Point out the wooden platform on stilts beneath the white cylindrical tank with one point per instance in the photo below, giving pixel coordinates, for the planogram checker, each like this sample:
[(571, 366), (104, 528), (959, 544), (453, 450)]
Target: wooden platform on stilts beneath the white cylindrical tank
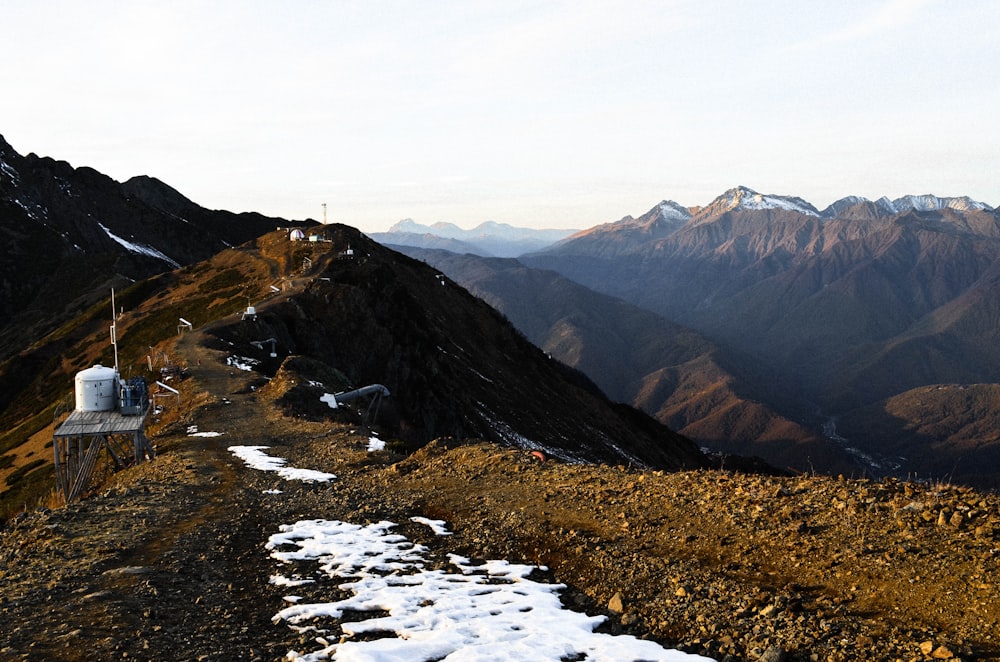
[(80, 440)]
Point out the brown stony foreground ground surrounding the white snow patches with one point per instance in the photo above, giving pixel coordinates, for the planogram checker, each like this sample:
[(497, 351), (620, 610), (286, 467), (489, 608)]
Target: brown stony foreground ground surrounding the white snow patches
[(167, 560)]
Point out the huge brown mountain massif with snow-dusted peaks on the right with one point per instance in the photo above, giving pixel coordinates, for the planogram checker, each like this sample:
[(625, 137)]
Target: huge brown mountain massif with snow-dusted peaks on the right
[(852, 305)]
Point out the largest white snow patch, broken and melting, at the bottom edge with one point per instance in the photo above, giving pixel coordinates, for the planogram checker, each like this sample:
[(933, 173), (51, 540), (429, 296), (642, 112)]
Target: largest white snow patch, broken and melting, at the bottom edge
[(477, 613)]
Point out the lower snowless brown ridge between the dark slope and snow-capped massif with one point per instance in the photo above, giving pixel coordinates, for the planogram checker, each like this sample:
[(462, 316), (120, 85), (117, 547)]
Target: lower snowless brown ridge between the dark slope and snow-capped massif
[(677, 375)]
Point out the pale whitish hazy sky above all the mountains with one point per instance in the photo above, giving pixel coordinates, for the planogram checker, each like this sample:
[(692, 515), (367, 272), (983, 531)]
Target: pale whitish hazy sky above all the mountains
[(545, 114)]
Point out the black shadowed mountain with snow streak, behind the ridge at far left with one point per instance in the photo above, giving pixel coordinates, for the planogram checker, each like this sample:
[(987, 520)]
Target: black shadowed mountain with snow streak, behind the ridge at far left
[(67, 234)]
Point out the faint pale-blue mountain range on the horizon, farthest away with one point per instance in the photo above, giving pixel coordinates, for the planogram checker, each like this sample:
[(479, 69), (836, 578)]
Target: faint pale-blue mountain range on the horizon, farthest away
[(489, 239)]
